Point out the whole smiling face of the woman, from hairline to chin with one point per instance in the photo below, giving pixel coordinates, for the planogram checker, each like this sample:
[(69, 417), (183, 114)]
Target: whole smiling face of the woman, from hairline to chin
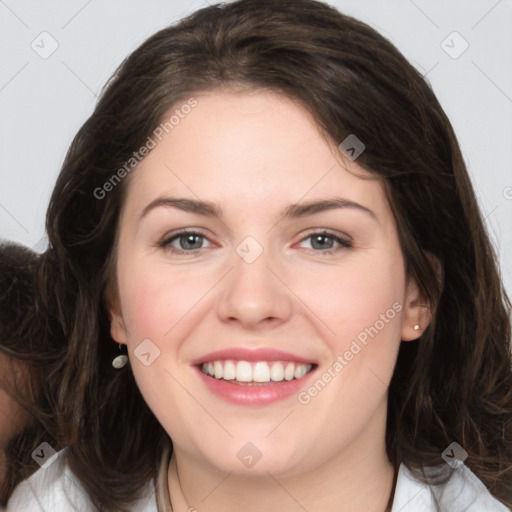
[(297, 310)]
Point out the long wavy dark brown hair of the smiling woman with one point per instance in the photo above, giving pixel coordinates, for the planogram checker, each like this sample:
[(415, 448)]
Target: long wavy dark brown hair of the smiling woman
[(455, 384)]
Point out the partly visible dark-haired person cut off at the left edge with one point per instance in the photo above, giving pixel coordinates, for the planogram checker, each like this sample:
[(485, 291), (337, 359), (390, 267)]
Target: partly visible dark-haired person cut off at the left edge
[(29, 342)]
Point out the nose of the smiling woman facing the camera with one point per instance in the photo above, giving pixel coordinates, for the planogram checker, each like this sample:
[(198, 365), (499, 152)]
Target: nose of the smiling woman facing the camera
[(255, 294)]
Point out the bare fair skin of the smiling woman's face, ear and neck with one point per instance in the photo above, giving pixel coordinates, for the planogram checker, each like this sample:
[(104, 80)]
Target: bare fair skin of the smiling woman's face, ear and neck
[(254, 153)]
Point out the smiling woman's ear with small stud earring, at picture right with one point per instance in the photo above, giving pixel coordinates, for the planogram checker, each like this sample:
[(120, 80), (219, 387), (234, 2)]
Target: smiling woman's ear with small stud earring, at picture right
[(417, 310)]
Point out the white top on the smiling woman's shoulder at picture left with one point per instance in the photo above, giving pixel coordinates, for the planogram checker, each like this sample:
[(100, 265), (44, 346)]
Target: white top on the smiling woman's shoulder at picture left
[(55, 487)]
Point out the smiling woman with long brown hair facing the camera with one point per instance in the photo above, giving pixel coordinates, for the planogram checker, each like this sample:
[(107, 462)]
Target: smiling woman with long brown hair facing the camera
[(269, 210)]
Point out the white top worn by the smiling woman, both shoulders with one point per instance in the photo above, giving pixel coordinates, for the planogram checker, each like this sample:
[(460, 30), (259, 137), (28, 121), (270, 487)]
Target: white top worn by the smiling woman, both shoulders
[(56, 489)]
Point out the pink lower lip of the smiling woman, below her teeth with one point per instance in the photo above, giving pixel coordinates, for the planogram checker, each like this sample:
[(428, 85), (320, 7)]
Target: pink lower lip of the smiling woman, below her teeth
[(259, 394)]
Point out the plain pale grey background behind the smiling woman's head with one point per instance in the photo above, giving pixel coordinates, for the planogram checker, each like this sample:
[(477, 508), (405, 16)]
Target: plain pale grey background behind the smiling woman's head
[(44, 101)]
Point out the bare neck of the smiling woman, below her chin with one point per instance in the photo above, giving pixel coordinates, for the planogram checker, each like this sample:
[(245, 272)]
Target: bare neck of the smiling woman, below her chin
[(360, 477)]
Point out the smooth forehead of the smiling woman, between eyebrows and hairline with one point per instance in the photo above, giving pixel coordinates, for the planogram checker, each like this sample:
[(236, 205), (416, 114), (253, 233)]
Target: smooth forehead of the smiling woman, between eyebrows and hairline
[(257, 148)]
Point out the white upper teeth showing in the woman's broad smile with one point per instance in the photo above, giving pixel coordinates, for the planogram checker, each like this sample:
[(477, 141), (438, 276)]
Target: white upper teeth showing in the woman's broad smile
[(261, 371)]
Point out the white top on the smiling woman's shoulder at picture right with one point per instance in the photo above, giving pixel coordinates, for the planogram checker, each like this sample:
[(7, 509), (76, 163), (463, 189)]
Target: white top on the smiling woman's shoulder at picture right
[(463, 492)]
